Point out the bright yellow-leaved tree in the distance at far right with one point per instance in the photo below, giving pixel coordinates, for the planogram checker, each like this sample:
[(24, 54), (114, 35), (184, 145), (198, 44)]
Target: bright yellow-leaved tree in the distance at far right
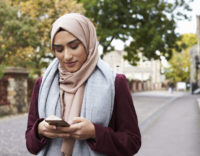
[(179, 69)]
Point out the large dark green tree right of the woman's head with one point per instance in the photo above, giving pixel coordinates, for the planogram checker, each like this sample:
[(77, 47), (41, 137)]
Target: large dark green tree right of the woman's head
[(150, 24)]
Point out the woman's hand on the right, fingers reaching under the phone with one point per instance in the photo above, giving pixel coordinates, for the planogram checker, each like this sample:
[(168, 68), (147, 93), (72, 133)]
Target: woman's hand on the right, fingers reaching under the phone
[(80, 128)]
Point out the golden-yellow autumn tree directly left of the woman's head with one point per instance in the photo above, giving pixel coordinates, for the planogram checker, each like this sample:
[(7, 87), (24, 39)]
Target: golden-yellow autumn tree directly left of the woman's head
[(41, 13)]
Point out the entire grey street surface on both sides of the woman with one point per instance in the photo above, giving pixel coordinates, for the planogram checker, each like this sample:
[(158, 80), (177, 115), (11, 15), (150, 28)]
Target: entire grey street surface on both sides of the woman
[(170, 126)]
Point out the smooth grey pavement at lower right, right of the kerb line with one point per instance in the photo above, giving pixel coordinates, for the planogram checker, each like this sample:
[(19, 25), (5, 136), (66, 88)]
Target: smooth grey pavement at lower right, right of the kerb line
[(175, 132)]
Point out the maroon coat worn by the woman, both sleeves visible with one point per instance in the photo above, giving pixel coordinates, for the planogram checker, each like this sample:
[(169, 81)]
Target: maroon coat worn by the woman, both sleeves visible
[(122, 136)]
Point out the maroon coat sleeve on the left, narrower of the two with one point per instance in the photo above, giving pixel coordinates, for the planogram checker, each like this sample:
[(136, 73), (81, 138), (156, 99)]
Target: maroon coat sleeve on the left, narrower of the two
[(33, 143)]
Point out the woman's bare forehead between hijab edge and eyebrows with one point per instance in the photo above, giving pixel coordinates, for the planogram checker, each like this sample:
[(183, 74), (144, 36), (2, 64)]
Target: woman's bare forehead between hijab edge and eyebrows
[(63, 37)]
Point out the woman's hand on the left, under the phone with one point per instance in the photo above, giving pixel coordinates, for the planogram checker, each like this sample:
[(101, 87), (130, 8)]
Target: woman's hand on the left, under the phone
[(50, 131)]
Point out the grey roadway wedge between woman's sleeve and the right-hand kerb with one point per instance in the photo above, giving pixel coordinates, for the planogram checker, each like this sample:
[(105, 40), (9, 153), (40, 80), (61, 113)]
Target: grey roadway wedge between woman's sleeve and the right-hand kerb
[(150, 104)]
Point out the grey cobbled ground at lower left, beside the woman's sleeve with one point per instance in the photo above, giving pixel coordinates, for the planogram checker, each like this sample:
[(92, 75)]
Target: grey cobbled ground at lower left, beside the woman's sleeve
[(12, 134)]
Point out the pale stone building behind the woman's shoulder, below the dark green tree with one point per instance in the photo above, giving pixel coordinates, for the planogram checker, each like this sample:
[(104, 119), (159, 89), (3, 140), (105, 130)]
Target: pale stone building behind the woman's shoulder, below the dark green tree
[(145, 71)]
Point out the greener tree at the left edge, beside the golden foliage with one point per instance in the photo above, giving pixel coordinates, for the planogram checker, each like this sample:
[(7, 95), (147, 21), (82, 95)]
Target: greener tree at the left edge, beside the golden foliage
[(16, 34)]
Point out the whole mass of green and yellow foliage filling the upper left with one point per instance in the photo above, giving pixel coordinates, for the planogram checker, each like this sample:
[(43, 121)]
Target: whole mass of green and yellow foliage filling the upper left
[(25, 27)]
